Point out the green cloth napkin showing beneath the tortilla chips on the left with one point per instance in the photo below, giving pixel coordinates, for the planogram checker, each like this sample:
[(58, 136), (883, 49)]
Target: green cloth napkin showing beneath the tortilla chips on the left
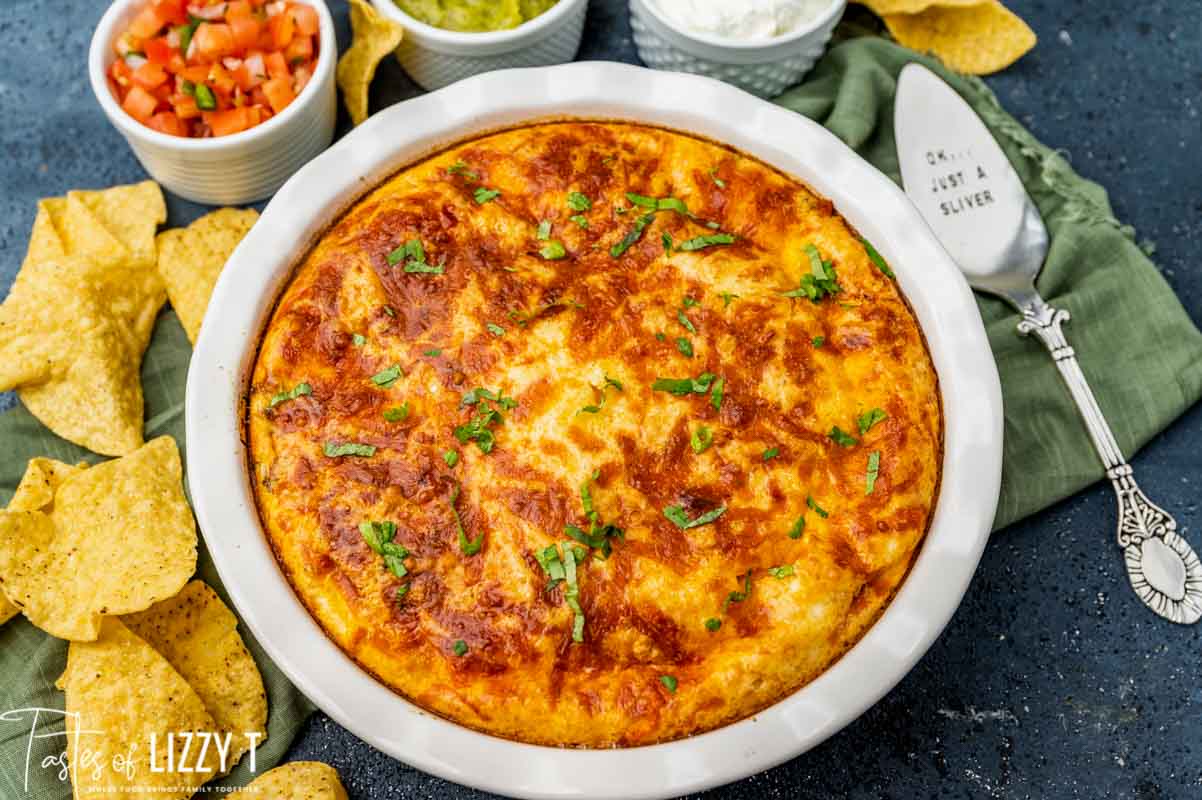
[(31, 661)]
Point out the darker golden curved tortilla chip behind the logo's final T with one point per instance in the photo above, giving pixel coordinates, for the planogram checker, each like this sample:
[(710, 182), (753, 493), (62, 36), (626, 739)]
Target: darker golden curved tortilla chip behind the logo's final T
[(199, 636)]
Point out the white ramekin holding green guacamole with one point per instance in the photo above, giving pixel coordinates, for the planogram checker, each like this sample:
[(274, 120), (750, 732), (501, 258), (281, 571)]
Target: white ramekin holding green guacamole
[(437, 58)]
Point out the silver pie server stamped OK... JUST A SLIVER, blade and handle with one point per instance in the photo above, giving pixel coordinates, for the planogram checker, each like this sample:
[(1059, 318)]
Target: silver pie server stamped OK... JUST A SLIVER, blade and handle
[(973, 200)]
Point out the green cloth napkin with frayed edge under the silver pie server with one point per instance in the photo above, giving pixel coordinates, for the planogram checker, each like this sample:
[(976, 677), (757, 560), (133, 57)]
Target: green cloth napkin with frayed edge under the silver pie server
[(1138, 347)]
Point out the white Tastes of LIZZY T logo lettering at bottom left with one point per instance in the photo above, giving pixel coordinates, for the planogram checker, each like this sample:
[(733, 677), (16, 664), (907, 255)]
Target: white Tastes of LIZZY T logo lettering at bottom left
[(185, 753)]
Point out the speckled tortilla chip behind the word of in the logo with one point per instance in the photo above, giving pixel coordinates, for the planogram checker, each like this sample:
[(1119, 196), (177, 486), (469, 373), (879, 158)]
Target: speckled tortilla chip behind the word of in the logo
[(129, 694)]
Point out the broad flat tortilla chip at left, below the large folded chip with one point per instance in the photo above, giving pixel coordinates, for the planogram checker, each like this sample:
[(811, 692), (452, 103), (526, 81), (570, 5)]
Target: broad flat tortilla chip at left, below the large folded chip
[(118, 539)]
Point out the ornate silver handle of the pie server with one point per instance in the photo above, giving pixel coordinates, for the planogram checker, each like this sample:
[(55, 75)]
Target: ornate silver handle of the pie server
[(1164, 570)]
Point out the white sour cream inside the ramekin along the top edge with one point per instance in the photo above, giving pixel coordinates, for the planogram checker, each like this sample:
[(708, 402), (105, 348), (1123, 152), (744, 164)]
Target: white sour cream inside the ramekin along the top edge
[(747, 20)]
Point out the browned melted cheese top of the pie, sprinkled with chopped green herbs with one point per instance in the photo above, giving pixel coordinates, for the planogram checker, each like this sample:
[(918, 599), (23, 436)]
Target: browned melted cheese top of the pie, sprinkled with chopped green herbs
[(486, 640)]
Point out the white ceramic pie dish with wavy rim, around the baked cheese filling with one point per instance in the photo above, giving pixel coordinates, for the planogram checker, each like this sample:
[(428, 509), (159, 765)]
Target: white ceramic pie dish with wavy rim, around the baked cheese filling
[(314, 198)]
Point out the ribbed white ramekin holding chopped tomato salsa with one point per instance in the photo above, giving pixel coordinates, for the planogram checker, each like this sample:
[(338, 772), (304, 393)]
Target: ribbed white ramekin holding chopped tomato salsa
[(228, 170)]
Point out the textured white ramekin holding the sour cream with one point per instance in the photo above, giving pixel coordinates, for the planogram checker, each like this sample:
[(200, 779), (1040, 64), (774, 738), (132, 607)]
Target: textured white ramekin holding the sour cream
[(765, 68)]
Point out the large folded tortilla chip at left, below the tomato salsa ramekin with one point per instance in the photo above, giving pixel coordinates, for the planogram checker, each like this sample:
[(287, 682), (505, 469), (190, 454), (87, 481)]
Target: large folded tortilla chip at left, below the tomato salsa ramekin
[(81, 313)]
